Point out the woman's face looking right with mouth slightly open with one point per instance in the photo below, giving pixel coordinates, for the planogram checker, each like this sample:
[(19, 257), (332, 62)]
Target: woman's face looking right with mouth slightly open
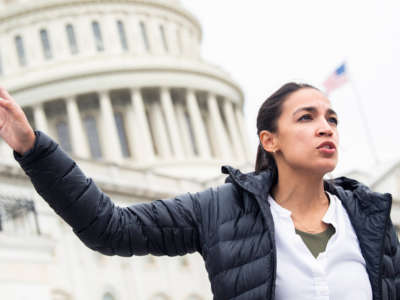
[(307, 136)]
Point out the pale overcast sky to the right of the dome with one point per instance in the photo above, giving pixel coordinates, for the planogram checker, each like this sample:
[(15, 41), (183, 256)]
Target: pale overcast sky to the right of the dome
[(264, 44)]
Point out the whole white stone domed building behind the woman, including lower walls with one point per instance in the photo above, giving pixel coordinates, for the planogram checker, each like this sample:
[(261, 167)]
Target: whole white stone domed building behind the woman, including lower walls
[(121, 85)]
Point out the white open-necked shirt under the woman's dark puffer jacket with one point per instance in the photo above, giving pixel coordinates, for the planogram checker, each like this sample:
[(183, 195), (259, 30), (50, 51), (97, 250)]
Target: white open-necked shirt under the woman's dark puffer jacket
[(338, 273)]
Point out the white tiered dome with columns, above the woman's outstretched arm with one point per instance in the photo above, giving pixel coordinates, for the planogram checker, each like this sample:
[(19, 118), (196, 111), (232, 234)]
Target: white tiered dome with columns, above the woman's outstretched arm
[(122, 82)]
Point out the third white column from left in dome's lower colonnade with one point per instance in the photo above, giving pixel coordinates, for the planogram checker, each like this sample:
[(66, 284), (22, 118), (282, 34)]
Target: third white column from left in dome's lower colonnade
[(109, 135)]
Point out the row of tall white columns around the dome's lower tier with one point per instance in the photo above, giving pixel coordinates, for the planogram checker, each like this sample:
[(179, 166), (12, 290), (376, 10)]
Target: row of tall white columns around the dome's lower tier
[(158, 123)]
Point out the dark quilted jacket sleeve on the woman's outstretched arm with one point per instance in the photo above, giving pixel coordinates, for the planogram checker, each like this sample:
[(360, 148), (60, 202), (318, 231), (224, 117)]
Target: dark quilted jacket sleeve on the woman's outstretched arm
[(163, 227)]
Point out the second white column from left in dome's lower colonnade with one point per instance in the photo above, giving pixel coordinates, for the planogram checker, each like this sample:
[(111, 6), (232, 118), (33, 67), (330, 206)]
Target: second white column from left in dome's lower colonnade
[(76, 131)]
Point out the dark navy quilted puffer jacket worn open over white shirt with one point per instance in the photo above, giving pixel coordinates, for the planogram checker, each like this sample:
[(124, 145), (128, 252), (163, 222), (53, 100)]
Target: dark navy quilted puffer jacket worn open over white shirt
[(231, 225)]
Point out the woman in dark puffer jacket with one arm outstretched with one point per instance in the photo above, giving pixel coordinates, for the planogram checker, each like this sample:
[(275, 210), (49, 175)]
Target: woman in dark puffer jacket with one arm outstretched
[(281, 232)]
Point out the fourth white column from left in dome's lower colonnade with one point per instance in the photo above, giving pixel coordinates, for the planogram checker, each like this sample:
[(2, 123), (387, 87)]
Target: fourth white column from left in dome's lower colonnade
[(146, 144)]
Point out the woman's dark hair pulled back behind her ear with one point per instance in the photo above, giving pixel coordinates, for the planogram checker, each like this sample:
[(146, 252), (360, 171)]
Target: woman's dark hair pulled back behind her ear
[(267, 119)]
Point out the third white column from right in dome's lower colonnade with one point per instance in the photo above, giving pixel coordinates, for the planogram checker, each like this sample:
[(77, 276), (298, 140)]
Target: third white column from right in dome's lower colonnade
[(222, 143)]
